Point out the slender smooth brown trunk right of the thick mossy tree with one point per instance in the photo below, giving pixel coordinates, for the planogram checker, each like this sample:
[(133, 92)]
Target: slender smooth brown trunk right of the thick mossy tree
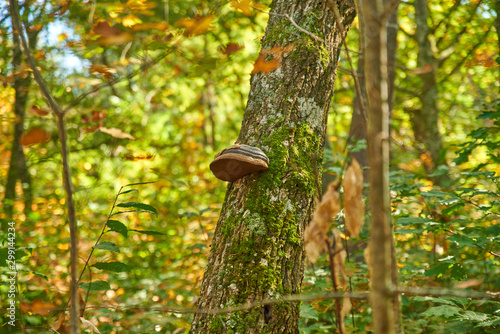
[(377, 89)]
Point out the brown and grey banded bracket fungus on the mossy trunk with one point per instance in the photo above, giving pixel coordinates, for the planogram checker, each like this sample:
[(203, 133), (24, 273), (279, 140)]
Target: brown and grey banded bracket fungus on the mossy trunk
[(237, 161)]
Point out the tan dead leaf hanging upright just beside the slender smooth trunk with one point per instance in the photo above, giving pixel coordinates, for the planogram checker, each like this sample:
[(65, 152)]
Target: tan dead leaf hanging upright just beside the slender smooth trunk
[(354, 207)]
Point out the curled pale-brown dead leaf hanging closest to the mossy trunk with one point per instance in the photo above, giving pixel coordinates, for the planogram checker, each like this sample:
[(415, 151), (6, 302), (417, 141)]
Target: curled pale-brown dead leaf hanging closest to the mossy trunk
[(316, 233)]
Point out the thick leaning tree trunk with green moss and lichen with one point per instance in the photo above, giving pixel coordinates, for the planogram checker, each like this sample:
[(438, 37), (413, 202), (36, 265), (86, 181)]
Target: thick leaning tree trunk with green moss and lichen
[(257, 251)]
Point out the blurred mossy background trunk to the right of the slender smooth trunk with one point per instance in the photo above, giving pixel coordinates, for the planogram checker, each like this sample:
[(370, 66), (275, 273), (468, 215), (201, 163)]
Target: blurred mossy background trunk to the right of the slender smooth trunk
[(425, 119)]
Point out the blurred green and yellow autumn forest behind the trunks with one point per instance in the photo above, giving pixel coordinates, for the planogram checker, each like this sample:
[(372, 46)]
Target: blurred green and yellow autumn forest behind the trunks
[(154, 89)]
